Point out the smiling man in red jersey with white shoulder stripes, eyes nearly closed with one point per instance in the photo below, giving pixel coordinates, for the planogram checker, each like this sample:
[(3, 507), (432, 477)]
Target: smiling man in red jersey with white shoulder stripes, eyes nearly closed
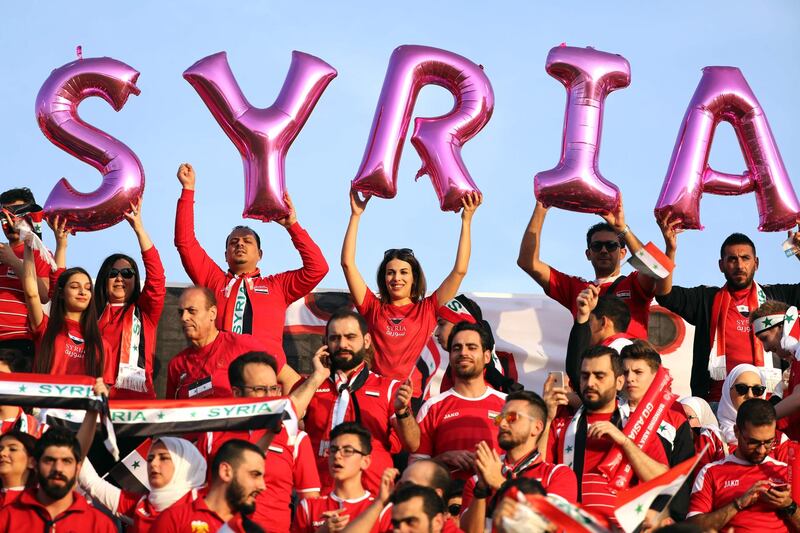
[(450, 425)]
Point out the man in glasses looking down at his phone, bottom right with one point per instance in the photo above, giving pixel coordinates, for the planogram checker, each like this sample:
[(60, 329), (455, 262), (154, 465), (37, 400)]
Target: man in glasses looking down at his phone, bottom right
[(748, 490)]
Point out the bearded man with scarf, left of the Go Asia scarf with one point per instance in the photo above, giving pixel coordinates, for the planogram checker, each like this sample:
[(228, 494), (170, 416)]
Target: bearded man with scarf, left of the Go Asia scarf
[(582, 440)]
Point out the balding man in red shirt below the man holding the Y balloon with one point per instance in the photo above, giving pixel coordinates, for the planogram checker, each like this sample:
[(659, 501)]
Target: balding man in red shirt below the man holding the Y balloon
[(201, 370)]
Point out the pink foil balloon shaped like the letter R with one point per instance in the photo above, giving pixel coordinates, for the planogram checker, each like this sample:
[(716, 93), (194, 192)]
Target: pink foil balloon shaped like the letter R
[(438, 140)]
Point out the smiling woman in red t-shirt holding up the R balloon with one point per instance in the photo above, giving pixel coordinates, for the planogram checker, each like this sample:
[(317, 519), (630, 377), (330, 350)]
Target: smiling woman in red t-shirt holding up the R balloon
[(401, 318)]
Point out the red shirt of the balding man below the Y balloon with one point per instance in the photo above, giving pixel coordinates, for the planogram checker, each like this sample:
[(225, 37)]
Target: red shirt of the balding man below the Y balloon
[(194, 364)]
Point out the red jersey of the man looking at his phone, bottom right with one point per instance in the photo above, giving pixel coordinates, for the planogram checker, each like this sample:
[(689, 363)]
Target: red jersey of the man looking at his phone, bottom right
[(719, 483)]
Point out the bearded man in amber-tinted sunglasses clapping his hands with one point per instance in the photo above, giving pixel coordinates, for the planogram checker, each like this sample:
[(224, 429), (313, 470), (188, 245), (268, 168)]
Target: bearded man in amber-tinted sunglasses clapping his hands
[(519, 426)]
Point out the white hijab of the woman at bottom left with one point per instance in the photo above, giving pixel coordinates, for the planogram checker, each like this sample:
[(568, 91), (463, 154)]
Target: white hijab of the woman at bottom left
[(190, 473)]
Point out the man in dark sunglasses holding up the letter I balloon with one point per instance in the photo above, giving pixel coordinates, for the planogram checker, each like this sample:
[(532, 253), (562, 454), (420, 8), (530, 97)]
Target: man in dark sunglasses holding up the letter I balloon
[(607, 245)]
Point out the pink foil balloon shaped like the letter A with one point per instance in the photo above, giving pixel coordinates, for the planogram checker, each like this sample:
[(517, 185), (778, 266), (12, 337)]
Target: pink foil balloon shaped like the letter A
[(723, 94)]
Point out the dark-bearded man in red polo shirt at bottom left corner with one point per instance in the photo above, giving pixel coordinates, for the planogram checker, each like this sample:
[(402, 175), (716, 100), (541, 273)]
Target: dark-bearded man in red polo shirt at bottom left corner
[(54, 505)]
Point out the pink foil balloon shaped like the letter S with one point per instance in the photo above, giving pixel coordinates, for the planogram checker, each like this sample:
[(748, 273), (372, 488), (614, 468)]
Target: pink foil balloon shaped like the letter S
[(57, 115)]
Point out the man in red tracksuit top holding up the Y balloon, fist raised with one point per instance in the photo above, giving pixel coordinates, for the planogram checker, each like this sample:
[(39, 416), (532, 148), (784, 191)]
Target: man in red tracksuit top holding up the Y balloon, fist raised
[(248, 301)]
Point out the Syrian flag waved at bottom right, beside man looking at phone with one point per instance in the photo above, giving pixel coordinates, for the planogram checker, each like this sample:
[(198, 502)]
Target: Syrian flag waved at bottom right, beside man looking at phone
[(632, 504)]
